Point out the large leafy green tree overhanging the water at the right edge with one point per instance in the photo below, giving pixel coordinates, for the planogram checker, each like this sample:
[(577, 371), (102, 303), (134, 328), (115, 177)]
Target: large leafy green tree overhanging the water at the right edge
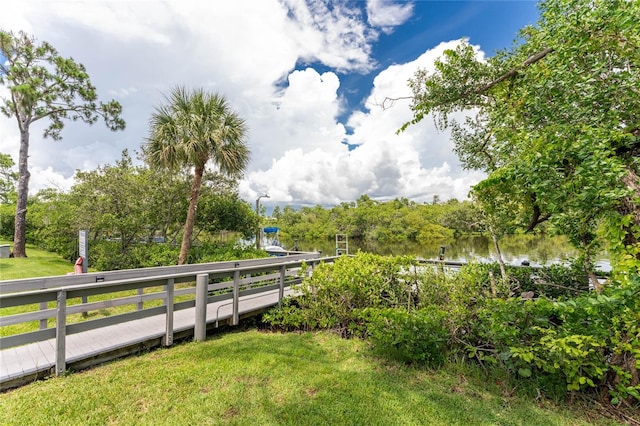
[(554, 121)]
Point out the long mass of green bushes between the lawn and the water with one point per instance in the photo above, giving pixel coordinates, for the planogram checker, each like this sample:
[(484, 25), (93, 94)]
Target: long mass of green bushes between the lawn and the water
[(585, 343)]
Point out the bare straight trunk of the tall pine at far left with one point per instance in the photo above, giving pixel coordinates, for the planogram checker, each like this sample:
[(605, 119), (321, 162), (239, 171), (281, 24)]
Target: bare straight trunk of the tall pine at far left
[(19, 238)]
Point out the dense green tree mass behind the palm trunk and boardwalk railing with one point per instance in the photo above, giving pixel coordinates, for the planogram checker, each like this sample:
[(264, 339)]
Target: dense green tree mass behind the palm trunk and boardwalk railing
[(134, 215)]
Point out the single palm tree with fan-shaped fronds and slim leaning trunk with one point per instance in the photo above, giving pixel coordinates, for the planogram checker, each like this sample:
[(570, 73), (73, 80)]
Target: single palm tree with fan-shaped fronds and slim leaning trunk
[(190, 130)]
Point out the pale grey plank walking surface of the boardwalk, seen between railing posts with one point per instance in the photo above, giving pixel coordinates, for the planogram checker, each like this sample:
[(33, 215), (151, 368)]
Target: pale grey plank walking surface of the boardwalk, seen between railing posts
[(22, 364)]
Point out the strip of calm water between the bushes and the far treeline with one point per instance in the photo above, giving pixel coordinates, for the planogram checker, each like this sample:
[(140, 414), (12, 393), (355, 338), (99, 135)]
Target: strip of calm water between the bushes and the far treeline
[(537, 249)]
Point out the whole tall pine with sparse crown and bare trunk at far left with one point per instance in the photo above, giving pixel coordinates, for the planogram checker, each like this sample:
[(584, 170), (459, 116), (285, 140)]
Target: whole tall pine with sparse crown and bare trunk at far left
[(44, 85)]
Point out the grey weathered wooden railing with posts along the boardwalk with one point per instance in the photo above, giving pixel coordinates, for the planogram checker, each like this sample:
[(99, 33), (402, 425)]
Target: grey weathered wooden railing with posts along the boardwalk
[(148, 292)]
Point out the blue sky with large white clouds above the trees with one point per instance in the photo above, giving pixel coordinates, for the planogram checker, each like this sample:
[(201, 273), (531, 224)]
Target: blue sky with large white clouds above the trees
[(308, 76)]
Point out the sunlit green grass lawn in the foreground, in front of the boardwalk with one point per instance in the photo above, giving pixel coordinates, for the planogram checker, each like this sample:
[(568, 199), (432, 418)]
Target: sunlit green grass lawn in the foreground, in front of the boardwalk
[(255, 378)]
